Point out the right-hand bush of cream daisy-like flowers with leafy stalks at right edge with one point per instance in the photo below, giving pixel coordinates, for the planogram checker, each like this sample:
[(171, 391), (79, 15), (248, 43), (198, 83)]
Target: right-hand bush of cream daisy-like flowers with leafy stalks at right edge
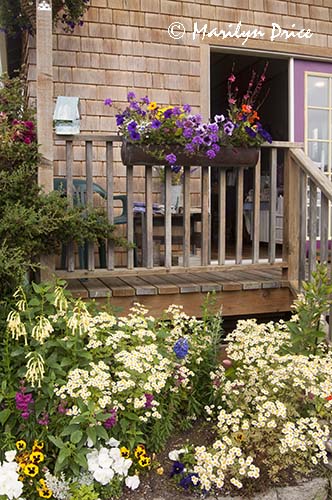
[(272, 402)]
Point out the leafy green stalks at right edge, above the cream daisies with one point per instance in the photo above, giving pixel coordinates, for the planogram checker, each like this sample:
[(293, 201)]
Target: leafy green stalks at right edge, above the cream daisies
[(306, 327)]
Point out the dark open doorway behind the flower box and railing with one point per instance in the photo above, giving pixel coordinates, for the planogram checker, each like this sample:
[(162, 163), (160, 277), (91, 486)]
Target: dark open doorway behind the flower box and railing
[(274, 116)]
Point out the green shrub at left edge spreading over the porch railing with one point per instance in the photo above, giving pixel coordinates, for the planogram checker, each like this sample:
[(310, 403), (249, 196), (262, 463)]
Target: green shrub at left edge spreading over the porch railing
[(32, 222)]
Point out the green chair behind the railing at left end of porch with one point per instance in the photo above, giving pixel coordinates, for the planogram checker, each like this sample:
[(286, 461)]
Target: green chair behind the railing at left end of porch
[(60, 184)]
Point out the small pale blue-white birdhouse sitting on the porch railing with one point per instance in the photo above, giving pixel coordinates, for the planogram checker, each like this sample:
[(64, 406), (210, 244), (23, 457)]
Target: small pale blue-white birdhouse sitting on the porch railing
[(67, 116)]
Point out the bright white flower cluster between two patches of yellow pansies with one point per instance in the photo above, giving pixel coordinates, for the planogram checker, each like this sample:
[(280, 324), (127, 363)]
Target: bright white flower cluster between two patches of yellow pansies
[(107, 462)]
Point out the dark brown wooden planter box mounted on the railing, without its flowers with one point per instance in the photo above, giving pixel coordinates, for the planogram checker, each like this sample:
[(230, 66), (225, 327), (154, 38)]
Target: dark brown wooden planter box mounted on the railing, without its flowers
[(228, 157)]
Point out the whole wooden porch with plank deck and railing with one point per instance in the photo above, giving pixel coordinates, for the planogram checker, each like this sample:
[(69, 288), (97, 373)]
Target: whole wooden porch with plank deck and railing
[(247, 275)]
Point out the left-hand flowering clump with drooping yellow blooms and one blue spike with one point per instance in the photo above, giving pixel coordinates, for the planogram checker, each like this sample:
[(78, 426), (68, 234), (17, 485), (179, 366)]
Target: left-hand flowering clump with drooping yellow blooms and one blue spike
[(96, 389)]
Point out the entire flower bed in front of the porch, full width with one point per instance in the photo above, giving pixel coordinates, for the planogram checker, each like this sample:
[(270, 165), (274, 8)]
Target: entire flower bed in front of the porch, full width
[(94, 405)]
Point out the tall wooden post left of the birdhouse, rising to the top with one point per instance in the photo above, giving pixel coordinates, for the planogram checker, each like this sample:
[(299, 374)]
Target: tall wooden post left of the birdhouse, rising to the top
[(44, 79)]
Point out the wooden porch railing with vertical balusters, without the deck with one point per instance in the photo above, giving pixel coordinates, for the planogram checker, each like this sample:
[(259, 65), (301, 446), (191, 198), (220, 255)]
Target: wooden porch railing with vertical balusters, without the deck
[(285, 160)]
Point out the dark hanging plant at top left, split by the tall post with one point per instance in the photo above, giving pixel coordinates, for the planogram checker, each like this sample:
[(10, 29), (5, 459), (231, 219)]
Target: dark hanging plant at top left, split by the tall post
[(20, 15)]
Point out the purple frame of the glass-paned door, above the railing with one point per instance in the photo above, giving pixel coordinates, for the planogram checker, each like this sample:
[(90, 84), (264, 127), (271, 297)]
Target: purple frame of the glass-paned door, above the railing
[(300, 66)]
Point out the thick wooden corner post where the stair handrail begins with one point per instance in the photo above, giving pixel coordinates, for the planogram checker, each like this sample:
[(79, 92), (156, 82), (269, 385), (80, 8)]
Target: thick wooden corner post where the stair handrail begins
[(291, 246)]
